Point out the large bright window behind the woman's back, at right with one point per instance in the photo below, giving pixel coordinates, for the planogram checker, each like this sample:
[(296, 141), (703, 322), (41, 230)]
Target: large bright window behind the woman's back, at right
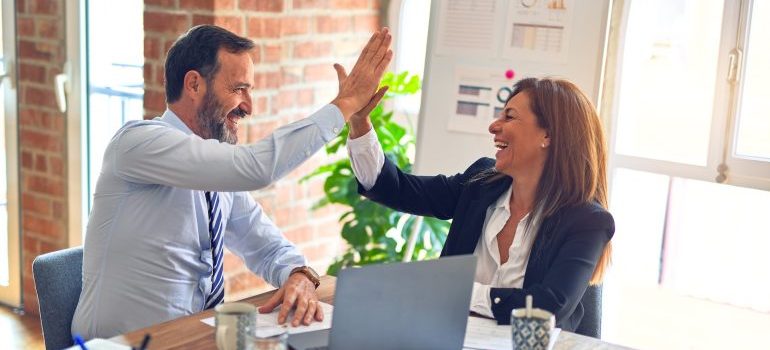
[(690, 173)]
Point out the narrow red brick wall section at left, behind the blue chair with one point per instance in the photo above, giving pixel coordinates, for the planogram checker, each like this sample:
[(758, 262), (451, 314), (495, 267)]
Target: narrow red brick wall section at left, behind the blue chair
[(41, 55)]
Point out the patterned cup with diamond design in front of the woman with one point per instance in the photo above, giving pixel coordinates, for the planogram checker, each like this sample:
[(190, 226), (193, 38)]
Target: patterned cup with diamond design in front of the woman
[(533, 332)]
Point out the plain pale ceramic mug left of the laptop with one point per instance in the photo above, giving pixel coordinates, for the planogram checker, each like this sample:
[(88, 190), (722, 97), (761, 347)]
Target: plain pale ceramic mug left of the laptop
[(234, 323)]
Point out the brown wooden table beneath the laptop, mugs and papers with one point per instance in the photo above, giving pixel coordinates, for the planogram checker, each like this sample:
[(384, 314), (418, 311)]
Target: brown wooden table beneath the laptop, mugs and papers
[(190, 333)]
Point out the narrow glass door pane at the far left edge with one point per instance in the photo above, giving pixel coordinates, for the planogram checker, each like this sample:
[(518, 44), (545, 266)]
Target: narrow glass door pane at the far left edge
[(10, 272)]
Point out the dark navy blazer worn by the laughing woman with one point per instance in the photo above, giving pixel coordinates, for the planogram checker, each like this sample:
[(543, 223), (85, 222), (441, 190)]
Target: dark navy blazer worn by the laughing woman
[(565, 252)]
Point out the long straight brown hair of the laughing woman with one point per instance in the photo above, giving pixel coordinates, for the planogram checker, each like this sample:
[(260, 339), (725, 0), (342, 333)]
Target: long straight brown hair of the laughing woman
[(575, 171)]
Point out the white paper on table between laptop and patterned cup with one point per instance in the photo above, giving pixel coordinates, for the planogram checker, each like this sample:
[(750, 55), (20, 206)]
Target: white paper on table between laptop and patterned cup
[(482, 333)]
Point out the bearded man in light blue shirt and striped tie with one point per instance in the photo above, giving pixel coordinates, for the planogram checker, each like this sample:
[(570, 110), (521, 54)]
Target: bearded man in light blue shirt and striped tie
[(171, 192)]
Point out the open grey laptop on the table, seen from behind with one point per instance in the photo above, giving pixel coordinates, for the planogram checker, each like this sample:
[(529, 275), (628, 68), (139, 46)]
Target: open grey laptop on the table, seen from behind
[(416, 305)]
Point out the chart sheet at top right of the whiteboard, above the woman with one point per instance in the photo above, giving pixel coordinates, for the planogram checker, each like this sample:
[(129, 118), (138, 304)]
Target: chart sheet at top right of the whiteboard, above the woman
[(538, 30)]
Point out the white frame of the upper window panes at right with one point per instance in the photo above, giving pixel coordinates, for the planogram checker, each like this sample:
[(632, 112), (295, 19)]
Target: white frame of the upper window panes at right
[(741, 172)]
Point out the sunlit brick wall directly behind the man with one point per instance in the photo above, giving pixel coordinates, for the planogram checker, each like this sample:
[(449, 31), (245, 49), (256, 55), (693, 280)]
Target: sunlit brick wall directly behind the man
[(297, 43)]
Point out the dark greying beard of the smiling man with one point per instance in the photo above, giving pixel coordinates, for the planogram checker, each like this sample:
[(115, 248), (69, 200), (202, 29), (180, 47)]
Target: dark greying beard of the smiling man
[(212, 120)]
